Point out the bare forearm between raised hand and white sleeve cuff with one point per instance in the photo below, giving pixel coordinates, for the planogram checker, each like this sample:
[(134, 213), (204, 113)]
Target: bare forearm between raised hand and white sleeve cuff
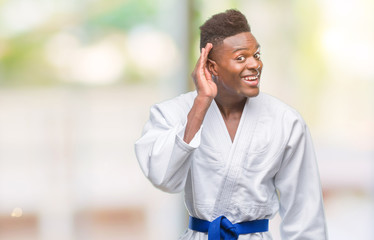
[(196, 117)]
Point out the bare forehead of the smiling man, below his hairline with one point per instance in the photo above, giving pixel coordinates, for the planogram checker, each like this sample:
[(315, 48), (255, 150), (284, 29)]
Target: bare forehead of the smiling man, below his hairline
[(241, 41)]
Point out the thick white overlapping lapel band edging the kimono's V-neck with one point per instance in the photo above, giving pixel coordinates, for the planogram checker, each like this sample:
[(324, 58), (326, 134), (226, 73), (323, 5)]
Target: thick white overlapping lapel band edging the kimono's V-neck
[(236, 155)]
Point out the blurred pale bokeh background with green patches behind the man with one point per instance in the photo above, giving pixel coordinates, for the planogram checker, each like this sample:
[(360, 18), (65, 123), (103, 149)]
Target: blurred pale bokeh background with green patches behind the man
[(77, 79)]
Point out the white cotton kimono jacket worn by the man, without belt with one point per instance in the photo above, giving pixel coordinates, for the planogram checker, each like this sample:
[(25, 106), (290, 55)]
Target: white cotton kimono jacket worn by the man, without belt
[(269, 166)]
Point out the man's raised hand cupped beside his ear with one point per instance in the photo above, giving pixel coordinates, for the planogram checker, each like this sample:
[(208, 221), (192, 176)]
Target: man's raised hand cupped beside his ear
[(205, 86)]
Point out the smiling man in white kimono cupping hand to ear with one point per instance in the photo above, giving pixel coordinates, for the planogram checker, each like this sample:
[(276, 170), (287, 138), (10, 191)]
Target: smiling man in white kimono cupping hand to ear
[(240, 155)]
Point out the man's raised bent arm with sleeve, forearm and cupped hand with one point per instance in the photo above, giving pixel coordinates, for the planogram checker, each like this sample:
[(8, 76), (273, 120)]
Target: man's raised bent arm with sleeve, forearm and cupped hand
[(164, 149)]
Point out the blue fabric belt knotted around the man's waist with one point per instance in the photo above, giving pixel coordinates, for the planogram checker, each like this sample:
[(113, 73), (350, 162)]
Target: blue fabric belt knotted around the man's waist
[(222, 228)]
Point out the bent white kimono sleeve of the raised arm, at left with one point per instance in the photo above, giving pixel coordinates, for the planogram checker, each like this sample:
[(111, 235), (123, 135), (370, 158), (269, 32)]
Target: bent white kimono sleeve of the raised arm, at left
[(161, 152)]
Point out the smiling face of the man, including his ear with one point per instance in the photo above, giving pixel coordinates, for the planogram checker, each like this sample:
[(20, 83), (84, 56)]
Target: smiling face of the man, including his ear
[(237, 65)]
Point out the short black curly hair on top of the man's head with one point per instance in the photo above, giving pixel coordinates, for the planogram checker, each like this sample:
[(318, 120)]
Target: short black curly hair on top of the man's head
[(221, 26)]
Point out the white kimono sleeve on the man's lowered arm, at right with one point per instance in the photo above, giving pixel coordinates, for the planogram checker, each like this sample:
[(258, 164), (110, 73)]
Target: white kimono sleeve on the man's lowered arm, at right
[(299, 188)]
